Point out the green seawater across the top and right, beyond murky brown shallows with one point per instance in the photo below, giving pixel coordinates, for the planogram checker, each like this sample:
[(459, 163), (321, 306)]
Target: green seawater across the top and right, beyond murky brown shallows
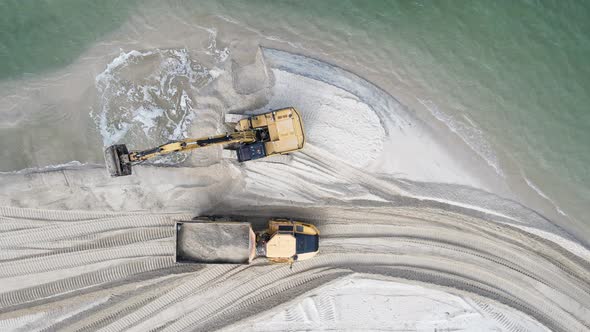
[(519, 70)]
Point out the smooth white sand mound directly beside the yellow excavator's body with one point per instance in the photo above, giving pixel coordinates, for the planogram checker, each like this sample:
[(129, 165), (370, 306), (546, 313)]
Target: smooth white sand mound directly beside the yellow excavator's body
[(334, 119)]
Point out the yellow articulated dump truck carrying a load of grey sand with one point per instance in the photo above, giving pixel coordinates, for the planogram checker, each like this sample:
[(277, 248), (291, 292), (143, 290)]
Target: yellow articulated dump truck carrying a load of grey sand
[(210, 240)]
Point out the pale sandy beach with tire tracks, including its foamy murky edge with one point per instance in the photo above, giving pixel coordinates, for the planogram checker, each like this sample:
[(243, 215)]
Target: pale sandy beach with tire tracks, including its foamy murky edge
[(418, 230)]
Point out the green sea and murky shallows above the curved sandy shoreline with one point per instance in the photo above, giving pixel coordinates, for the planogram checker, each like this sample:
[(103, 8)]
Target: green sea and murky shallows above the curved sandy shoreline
[(508, 78)]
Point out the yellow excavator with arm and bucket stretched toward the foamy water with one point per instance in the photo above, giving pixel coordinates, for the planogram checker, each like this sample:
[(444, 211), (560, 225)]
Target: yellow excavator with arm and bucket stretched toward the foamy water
[(276, 132)]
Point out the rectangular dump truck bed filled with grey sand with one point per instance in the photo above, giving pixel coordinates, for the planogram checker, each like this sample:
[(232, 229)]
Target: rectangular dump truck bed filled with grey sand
[(210, 242)]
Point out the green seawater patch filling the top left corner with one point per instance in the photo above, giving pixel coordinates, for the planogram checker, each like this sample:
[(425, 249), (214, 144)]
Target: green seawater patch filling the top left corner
[(41, 34)]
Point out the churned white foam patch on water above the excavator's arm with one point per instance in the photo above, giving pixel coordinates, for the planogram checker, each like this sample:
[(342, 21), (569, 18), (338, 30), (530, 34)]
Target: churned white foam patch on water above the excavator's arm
[(160, 104)]
